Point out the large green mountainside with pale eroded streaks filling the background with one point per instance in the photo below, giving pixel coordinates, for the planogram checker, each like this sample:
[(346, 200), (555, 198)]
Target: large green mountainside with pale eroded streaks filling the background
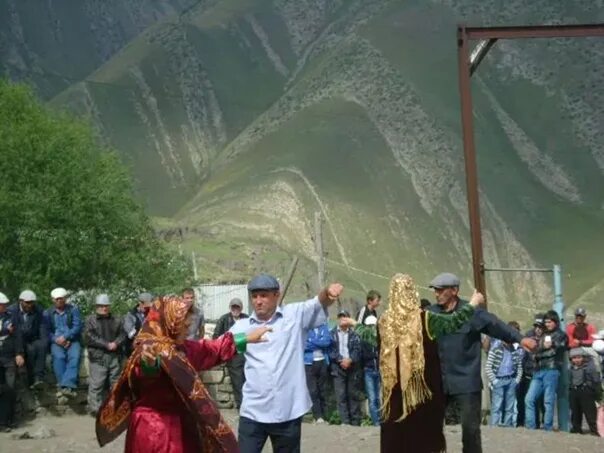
[(242, 118)]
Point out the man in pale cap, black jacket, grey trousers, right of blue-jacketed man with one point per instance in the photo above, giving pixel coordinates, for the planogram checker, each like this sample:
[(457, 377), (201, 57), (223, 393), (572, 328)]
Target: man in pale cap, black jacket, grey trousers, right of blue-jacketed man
[(104, 335)]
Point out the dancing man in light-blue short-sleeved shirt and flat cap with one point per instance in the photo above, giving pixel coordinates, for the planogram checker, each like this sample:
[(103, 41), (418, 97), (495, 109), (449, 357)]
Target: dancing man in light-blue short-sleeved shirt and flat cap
[(275, 395)]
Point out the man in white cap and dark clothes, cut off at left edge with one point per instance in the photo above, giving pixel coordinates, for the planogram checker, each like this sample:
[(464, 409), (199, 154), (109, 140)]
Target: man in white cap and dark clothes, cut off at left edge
[(11, 356)]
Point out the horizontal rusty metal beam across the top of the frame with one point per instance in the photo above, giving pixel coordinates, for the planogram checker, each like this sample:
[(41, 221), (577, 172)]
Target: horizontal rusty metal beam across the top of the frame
[(535, 31)]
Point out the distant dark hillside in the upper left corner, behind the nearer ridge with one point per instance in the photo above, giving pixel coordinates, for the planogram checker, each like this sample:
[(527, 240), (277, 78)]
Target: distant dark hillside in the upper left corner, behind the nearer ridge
[(53, 44)]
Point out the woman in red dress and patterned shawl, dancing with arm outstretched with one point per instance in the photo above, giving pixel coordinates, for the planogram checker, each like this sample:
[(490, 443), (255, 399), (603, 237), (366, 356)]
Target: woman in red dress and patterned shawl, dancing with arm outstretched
[(160, 398)]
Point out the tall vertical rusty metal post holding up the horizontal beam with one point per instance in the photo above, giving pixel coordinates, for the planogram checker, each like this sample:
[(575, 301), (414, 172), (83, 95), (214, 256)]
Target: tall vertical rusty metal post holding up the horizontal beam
[(465, 92)]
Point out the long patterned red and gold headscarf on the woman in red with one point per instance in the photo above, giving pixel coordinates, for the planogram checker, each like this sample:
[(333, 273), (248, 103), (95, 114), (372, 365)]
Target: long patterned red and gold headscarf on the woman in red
[(161, 330)]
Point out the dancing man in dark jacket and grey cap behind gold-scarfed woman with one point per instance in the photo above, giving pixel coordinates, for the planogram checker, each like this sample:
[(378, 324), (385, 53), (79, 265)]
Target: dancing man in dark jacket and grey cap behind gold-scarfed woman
[(460, 355)]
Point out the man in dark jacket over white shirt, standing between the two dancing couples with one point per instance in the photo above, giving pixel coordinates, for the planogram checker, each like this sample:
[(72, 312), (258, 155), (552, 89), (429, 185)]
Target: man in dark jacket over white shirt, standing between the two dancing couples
[(345, 358)]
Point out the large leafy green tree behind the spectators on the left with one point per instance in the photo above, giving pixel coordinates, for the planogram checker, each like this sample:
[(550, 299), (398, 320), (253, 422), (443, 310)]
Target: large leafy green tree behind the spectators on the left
[(68, 215)]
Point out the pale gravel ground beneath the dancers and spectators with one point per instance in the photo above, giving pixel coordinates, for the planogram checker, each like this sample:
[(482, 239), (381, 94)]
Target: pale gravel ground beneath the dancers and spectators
[(76, 434)]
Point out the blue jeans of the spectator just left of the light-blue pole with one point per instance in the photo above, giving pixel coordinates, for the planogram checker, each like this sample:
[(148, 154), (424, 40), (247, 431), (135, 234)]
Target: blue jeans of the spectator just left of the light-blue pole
[(544, 382)]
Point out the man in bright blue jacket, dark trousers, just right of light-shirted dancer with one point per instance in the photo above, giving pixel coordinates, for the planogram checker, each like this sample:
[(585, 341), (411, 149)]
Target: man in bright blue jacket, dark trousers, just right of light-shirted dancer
[(316, 364)]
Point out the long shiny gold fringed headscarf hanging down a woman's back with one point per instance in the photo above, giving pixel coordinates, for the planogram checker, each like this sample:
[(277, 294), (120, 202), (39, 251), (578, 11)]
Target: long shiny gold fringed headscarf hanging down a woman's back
[(401, 336)]
